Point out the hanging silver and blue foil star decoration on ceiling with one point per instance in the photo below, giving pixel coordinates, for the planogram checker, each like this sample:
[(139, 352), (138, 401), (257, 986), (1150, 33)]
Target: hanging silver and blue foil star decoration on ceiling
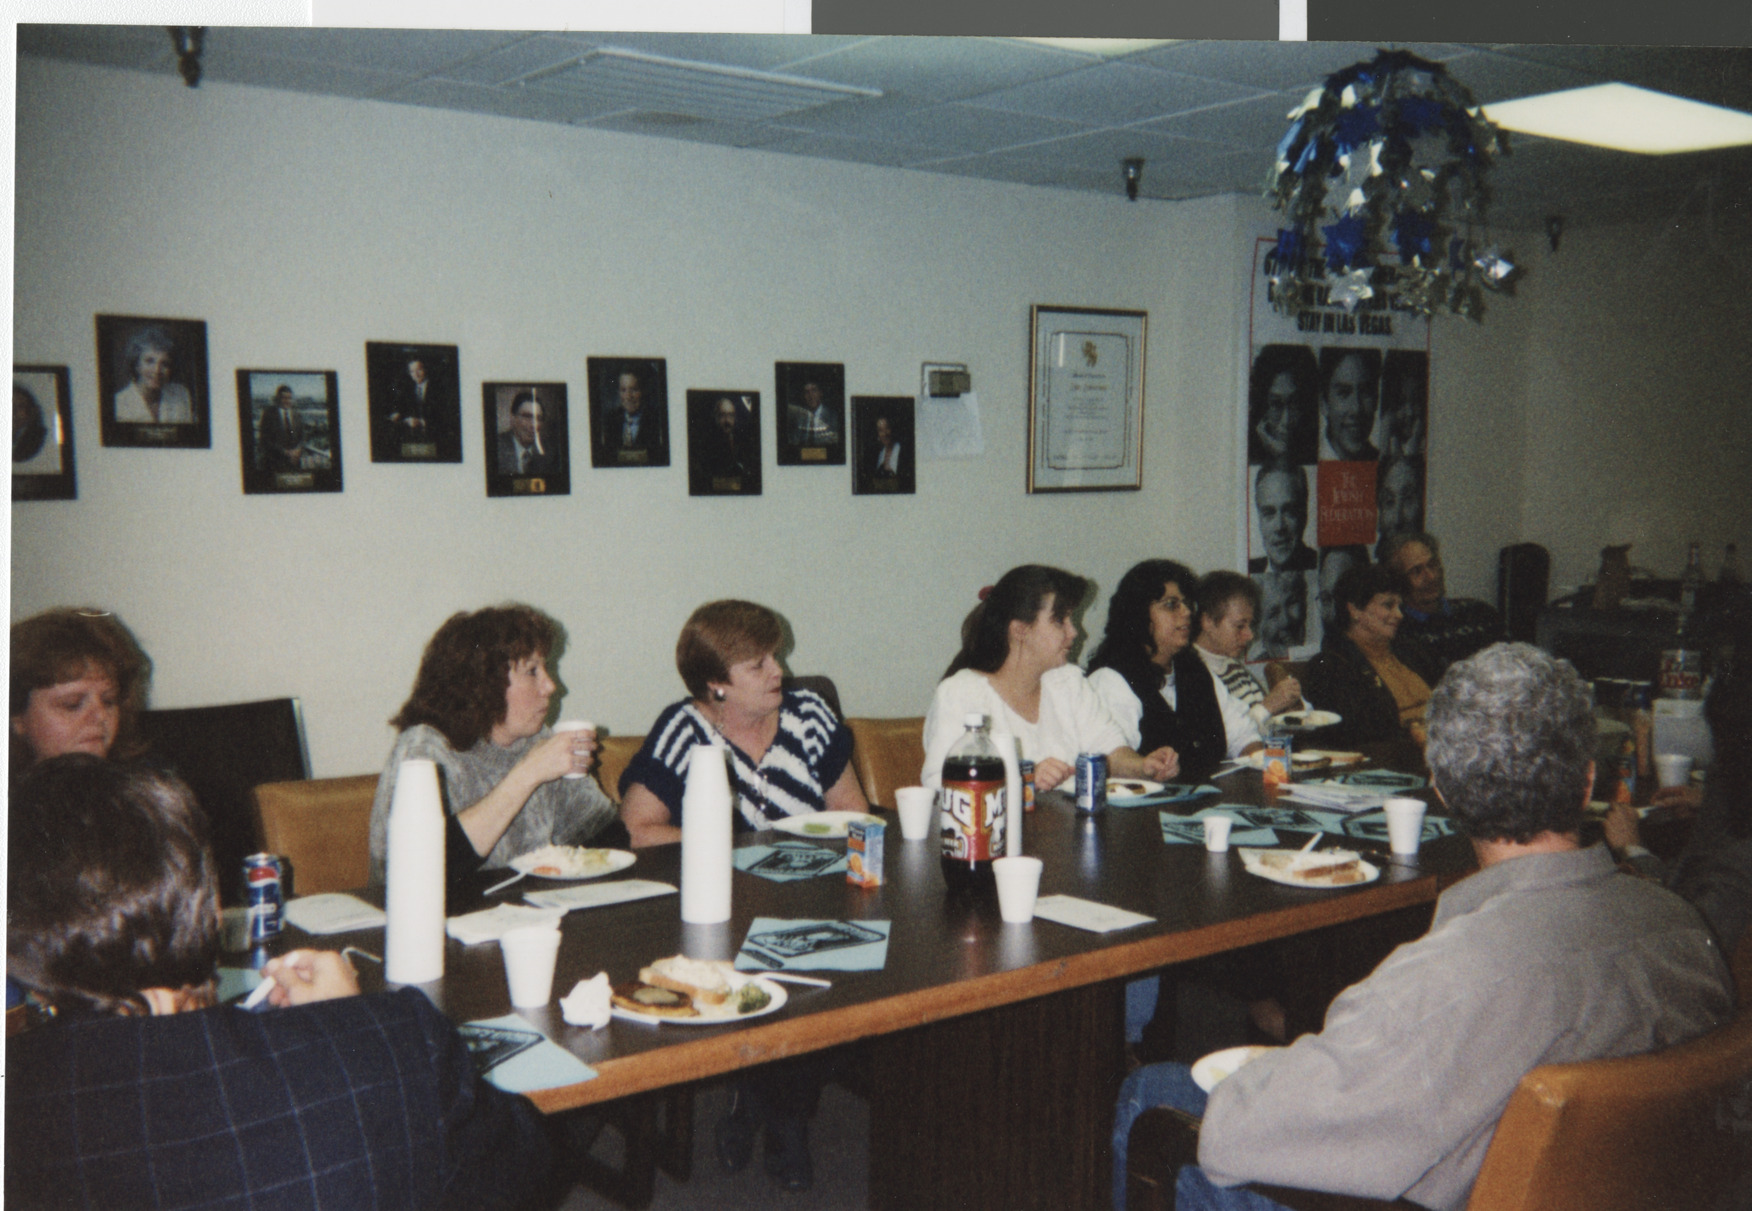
[(1385, 183)]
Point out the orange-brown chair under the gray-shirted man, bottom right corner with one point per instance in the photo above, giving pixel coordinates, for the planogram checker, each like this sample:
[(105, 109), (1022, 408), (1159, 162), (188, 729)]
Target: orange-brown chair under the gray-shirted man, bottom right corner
[(1644, 1133)]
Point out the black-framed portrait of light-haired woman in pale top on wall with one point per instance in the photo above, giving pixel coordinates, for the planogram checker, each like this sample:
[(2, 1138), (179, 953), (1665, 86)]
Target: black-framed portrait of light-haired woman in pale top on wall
[(153, 383)]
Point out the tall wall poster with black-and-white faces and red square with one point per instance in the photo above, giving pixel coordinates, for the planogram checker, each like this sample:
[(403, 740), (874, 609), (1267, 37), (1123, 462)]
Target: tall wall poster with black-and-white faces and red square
[(1338, 418)]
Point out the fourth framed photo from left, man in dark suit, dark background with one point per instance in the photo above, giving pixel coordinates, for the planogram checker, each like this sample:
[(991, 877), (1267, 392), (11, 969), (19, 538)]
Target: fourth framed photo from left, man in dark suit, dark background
[(414, 402)]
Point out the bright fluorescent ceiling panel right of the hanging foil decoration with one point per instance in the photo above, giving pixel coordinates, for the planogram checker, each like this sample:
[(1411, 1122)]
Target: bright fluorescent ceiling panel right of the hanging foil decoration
[(1625, 118)]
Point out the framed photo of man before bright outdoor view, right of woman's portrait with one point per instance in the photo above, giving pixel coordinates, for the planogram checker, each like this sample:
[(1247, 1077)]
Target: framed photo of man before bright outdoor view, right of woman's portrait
[(288, 425)]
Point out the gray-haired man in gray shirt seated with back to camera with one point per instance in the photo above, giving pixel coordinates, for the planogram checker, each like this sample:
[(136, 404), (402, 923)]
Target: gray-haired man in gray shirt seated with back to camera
[(1546, 956)]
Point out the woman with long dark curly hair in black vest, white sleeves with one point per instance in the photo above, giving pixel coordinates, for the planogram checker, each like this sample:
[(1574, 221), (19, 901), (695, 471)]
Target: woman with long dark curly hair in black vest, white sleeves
[(1152, 679)]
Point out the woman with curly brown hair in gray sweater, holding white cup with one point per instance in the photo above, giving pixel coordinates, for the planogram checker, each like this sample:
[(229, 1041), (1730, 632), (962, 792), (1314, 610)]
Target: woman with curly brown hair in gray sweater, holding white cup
[(479, 711)]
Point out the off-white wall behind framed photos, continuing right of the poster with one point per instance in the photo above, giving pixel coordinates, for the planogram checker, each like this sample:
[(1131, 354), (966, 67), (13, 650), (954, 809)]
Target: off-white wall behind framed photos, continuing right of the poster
[(1604, 404)]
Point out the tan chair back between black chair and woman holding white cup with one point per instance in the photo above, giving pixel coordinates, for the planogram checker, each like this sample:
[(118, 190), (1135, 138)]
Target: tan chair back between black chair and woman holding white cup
[(323, 826)]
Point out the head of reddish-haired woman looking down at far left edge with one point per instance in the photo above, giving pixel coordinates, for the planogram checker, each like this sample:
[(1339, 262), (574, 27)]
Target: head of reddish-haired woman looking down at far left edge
[(78, 686)]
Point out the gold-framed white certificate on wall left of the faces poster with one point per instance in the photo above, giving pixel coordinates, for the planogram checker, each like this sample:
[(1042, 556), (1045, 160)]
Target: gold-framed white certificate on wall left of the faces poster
[(1085, 400)]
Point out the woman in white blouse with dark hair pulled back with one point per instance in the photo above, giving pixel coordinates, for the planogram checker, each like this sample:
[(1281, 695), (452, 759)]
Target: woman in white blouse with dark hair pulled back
[(1014, 669)]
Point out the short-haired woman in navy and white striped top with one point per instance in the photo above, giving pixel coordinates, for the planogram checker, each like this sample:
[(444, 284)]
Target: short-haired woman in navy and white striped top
[(788, 754)]
